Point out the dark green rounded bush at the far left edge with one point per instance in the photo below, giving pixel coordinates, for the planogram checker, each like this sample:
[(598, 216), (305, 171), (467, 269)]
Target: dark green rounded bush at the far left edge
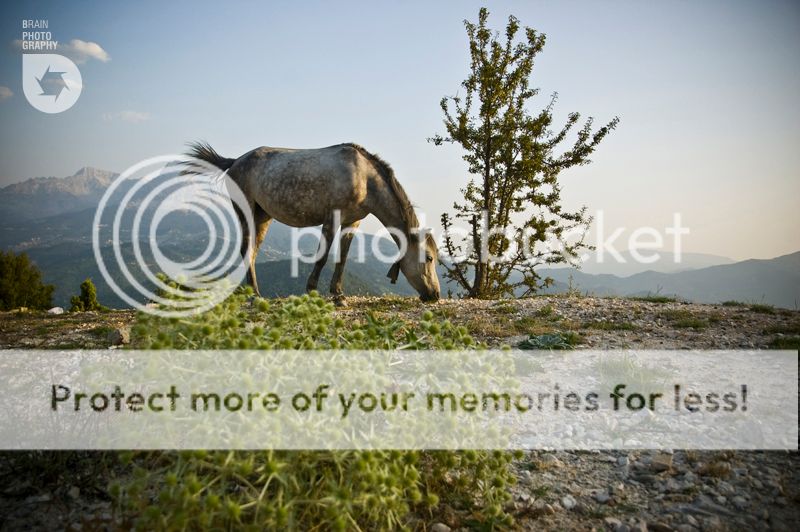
[(21, 283)]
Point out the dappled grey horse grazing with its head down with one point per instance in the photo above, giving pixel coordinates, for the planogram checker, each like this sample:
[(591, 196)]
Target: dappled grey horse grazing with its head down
[(308, 187)]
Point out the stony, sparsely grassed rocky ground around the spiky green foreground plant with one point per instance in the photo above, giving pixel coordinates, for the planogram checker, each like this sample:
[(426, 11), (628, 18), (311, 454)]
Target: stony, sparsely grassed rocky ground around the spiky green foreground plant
[(603, 490)]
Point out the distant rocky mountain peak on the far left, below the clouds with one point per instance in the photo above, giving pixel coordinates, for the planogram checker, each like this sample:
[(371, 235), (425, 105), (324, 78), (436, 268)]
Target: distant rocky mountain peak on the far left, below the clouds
[(48, 196)]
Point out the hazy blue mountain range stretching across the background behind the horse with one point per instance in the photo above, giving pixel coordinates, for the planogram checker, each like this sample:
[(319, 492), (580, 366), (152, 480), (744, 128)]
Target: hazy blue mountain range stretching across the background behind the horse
[(51, 219)]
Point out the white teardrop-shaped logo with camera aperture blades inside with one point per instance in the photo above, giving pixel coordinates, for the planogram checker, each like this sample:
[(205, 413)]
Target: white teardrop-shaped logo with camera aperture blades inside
[(51, 82)]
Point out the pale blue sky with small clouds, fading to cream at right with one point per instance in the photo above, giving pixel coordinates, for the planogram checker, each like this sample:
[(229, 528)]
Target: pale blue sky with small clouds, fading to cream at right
[(707, 94)]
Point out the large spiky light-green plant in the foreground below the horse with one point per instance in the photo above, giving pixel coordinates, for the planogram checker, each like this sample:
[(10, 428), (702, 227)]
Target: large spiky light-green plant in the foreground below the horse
[(326, 490)]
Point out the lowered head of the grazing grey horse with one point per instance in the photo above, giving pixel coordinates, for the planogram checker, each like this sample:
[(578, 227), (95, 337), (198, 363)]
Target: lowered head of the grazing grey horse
[(419, 266)]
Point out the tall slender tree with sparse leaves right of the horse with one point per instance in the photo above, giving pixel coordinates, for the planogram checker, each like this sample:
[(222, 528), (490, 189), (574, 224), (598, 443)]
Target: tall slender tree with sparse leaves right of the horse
[(512, 202)]
